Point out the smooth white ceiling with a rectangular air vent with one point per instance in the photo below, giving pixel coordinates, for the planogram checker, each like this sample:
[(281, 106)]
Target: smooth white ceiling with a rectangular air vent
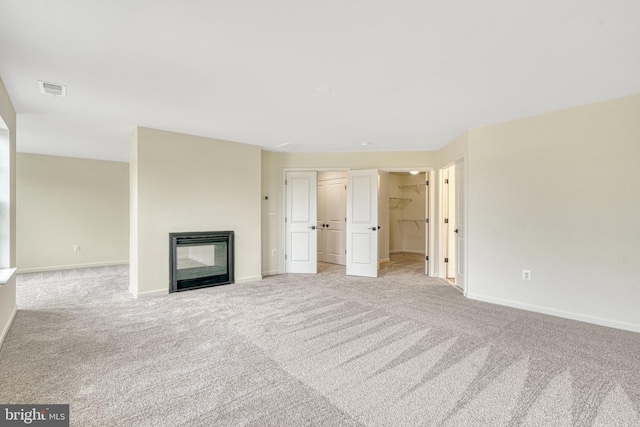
[(404, 74)]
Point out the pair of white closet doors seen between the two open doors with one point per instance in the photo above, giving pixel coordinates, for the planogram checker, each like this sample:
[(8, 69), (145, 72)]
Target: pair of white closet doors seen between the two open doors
[(332, 220)]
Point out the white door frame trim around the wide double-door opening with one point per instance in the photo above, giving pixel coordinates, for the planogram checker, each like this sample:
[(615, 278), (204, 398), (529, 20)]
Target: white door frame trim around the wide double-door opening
[(430, 265)]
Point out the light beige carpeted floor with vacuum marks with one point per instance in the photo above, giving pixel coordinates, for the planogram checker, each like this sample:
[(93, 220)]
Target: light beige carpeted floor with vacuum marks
[(295, 350)]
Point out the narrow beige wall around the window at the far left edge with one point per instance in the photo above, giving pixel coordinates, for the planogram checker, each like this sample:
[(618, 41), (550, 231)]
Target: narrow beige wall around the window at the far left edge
[(8, 290)]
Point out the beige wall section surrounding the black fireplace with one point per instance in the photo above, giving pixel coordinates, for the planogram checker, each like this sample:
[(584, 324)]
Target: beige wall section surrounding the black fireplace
[(189, 183)]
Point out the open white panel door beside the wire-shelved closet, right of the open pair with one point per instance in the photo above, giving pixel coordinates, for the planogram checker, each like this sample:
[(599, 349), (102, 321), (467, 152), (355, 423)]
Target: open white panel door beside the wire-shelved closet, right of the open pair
[(362, 223)]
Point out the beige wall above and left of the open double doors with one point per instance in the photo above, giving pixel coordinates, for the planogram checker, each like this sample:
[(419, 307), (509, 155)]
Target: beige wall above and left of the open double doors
[(273, 166)]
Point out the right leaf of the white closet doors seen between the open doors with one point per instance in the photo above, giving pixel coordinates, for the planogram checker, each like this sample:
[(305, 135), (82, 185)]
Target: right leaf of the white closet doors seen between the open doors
[(335, 230)]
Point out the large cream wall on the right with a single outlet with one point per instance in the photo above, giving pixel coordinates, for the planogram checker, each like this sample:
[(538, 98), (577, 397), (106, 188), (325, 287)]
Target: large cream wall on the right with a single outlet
[(559, 194)]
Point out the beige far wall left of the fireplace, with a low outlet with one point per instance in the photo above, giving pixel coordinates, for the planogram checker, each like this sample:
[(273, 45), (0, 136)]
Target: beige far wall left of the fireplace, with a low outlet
[(63, 202)]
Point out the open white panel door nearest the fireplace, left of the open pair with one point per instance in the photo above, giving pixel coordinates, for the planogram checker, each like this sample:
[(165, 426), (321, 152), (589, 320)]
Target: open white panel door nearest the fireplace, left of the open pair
[(301, 222)]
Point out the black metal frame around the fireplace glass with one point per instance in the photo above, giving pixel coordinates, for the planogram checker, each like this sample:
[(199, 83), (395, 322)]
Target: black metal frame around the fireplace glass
[(194, 238)]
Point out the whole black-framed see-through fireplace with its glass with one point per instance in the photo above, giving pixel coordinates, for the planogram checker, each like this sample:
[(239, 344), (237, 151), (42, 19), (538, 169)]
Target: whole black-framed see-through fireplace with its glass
[(201, 259)]
